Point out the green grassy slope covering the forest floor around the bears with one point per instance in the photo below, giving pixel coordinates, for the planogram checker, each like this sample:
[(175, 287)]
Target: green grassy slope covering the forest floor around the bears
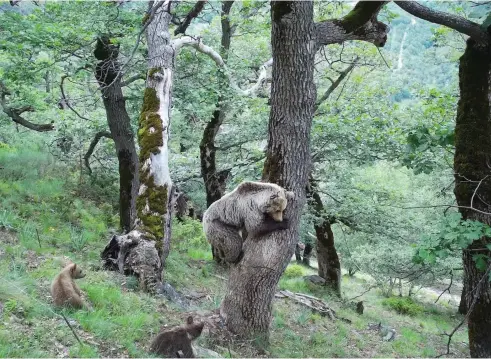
[(34, 197)]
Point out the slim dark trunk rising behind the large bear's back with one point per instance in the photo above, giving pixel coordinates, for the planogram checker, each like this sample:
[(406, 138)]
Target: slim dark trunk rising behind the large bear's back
[(215, 181)]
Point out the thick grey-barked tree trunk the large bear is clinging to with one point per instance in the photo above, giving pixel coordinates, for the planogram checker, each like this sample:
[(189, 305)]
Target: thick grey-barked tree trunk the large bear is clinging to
[(246, 308)]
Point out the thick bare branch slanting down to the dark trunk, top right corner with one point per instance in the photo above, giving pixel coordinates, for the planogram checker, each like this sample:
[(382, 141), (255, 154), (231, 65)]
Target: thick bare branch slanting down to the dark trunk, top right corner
[(454, 22)]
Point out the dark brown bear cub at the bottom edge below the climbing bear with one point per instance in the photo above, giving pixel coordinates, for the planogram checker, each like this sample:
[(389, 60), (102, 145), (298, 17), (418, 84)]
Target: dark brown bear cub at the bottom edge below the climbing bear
[(176, 342)]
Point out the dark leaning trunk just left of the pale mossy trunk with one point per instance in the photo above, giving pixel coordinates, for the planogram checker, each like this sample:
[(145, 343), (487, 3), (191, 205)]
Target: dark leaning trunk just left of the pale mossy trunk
[(109, 78)]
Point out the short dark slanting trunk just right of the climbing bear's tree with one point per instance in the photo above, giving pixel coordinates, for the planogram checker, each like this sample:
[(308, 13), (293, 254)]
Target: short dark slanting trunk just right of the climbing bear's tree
[(327, 256)]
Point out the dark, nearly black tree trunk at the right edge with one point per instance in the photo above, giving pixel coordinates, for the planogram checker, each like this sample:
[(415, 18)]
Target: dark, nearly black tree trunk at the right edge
[(473, 185)]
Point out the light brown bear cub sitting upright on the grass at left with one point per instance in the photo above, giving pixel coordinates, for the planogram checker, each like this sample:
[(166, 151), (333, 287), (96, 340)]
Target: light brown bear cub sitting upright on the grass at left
[(64, 290)]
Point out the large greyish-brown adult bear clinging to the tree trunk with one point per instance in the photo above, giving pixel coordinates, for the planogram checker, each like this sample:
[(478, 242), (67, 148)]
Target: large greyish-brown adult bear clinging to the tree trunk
[(252, 209)]
